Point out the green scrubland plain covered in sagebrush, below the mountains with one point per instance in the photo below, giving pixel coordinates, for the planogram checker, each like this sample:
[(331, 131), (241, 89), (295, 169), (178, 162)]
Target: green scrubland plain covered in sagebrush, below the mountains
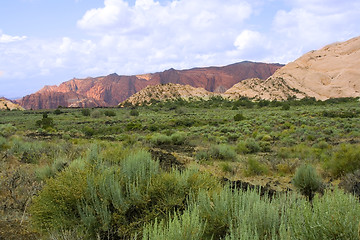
[(177, 170)]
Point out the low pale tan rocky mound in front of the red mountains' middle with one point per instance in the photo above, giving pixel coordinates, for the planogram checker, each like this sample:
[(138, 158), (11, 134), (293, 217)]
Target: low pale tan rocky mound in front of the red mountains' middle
[(169, 91)]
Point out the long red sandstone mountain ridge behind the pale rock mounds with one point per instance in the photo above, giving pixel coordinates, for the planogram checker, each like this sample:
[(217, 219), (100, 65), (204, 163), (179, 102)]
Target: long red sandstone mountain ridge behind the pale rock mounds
[(113, 89)]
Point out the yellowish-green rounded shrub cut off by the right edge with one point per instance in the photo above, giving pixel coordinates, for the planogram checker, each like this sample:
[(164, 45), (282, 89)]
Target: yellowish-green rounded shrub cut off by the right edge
[(346, 159)]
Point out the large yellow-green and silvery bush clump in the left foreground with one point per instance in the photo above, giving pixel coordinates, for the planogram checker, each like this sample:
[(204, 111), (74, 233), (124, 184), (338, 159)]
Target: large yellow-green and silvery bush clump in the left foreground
[(110, 201)]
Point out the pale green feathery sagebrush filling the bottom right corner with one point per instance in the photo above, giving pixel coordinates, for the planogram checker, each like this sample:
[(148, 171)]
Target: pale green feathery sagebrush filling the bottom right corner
[(331, 216)]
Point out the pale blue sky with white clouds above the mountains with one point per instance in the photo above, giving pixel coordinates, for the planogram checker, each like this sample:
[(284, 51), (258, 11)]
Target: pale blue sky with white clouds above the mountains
[(47, 42)]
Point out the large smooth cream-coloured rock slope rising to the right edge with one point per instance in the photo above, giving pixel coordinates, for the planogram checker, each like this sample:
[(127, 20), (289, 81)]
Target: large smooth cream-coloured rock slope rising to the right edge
[(331, 72)]
